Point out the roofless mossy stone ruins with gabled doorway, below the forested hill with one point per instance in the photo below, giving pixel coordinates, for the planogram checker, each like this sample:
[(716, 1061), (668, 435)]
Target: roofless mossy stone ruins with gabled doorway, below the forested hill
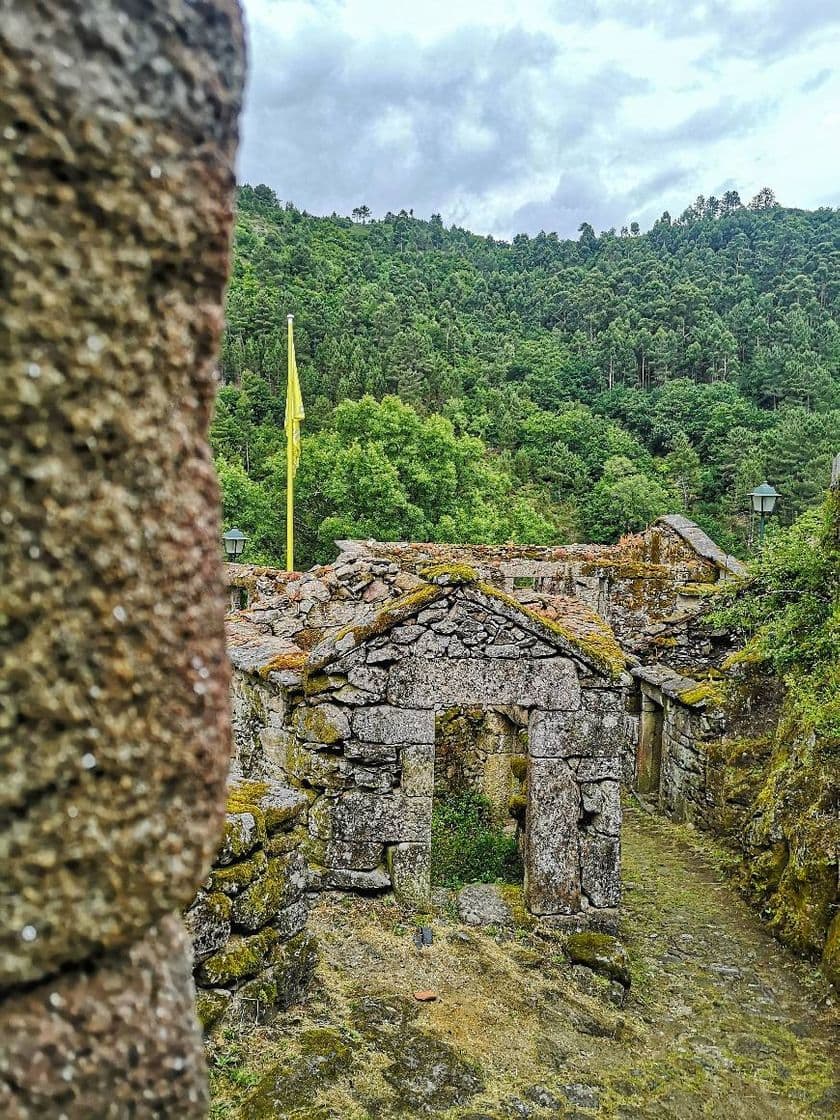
[(543, 677)]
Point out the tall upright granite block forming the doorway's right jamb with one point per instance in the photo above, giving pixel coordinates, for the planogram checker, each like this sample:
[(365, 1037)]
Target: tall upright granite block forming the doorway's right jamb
[(553, 856)]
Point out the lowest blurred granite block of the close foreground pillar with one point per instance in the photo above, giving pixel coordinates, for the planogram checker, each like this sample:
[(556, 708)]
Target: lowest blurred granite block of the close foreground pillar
[(120, 1040)]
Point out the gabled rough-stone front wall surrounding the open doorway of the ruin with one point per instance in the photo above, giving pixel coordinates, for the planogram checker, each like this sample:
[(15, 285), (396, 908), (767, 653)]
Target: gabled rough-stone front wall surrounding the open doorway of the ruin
[(353, 724)]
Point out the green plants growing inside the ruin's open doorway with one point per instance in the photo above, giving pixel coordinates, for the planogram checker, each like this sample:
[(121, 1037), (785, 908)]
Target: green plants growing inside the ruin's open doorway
[(468, 846)]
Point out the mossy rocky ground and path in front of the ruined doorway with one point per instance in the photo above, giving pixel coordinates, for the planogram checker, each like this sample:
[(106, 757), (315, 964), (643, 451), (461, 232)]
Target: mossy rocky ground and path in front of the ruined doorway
[(720, 1022)]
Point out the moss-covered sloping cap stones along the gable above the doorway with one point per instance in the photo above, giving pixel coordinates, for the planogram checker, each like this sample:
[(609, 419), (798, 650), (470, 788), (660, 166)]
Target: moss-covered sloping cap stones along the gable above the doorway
[(583, 636)]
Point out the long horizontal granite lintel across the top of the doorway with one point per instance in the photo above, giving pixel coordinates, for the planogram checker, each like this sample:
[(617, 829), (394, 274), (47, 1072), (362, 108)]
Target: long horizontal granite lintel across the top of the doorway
[(443, 683)]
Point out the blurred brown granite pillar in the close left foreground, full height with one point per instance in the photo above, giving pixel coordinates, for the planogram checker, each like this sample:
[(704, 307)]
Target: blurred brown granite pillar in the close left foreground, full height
[(118, 133)]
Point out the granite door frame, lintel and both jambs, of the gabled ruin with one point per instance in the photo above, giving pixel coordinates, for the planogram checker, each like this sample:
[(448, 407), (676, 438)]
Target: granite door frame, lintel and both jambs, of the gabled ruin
[(558, 727)]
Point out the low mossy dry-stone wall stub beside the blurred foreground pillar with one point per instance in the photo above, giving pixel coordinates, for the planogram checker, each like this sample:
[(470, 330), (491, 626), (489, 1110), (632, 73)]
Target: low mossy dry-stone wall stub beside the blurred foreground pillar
[(251, 951)]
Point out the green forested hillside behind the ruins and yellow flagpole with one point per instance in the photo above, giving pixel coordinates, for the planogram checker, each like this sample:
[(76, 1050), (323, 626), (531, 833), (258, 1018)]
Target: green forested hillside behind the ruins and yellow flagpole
[(464, 389)]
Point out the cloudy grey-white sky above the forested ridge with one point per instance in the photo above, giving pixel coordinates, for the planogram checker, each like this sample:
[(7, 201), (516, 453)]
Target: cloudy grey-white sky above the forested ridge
[(508, 116)]
